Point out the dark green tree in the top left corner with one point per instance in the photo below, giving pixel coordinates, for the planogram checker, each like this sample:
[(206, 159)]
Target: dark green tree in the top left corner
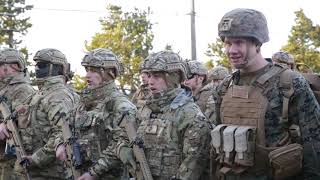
[(12, 23)]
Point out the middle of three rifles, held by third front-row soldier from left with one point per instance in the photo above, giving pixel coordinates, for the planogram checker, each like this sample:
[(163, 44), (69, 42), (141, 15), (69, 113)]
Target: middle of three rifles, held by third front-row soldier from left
[(74, 159)]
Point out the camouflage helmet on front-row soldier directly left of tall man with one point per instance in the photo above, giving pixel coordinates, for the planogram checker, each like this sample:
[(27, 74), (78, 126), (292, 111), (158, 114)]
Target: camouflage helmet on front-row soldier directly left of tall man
[(165, 61)]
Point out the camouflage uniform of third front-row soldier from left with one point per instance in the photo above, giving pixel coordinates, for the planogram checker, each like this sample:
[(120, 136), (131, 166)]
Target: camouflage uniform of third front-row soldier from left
[(97, 127)]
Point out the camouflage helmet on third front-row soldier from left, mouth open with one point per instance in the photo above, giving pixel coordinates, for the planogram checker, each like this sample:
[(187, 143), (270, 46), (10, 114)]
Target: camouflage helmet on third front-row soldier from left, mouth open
[(102, 58)]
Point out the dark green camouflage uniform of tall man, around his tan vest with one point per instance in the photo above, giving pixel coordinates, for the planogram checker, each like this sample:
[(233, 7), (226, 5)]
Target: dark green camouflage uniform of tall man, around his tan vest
[(303, 111)]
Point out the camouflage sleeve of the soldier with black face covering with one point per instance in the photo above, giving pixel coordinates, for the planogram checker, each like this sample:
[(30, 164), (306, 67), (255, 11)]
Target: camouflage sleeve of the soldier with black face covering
[(56, 104)]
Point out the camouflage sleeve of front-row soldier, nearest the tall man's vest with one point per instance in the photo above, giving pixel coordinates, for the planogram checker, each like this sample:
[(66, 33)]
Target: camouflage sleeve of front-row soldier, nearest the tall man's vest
[(195, 134)]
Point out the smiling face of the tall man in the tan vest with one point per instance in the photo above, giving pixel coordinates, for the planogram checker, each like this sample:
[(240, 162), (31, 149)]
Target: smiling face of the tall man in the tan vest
[(240, 51)]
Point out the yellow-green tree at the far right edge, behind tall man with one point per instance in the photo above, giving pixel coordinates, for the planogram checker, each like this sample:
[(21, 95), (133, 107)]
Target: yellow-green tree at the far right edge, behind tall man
[(304, 41)]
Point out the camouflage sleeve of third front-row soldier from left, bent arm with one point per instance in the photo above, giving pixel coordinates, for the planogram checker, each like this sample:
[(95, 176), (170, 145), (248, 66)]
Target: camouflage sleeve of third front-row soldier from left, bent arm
[(110, 156)]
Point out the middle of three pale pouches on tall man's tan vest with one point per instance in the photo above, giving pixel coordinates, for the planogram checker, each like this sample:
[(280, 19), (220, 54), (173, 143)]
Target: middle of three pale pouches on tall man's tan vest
[(228, 144)]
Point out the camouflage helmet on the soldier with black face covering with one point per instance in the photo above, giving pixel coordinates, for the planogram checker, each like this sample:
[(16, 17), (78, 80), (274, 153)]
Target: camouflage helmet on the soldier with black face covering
[(53, 56)]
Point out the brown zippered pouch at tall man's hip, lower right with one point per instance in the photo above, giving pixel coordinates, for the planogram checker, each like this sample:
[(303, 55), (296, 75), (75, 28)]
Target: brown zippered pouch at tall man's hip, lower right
[(286, 161)]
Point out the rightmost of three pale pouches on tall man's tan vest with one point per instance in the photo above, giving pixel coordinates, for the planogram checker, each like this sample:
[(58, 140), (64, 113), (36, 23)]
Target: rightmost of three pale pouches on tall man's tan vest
[(245, 145)]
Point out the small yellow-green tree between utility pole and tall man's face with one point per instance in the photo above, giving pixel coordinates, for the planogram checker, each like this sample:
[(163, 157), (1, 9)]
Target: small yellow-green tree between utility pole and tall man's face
[(216, 54)]
